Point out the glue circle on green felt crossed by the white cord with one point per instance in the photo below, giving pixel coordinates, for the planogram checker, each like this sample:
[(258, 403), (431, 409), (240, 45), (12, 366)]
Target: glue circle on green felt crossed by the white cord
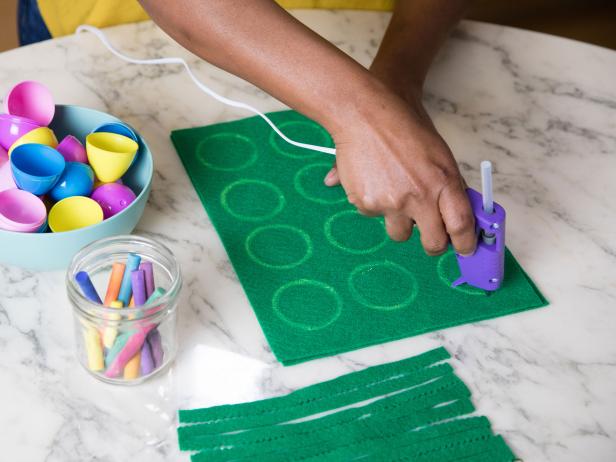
[(303, 131)]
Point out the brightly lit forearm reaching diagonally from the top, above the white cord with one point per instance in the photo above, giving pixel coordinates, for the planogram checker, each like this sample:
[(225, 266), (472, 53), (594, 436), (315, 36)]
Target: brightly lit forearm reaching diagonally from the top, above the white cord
[(262, 43)]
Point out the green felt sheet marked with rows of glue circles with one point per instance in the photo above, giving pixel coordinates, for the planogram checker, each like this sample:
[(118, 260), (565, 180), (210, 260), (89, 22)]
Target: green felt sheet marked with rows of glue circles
[(321, 278)]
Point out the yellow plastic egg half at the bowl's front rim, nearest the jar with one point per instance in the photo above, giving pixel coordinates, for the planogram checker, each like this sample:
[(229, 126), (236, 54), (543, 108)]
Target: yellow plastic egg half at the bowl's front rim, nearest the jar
[(74, 213)]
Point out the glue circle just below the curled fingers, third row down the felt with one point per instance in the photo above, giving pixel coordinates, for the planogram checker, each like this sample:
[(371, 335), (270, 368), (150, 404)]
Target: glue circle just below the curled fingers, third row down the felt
[(355, 233)]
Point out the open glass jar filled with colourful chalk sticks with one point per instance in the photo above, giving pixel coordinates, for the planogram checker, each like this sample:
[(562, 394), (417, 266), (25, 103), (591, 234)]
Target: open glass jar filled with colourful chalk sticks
[(116, 344)]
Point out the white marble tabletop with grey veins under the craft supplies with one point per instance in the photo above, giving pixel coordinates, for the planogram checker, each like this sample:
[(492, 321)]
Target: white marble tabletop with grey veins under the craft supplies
[(542, 108)]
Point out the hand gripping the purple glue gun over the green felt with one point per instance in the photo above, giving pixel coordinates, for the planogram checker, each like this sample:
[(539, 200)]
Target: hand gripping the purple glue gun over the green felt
[(391, 161)]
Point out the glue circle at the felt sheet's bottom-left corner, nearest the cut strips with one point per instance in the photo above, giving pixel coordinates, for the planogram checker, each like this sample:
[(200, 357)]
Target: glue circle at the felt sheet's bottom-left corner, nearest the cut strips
[(307, 304)]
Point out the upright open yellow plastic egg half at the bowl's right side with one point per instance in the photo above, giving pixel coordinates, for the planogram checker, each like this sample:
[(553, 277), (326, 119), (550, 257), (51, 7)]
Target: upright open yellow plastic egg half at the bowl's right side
[(110, 155)]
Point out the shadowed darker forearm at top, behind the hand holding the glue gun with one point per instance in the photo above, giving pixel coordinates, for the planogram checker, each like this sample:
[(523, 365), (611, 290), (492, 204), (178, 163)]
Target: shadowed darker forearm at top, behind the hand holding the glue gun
[(417, 30)]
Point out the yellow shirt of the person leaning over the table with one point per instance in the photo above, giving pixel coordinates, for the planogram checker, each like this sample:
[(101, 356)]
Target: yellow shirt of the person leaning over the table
[(63, 16)]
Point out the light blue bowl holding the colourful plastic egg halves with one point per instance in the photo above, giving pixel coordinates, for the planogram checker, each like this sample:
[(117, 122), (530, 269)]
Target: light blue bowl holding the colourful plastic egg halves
[(53, 251)]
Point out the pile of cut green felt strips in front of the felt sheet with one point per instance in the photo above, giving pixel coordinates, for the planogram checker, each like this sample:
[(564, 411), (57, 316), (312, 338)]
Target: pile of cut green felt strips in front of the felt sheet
[(427, 419)]
